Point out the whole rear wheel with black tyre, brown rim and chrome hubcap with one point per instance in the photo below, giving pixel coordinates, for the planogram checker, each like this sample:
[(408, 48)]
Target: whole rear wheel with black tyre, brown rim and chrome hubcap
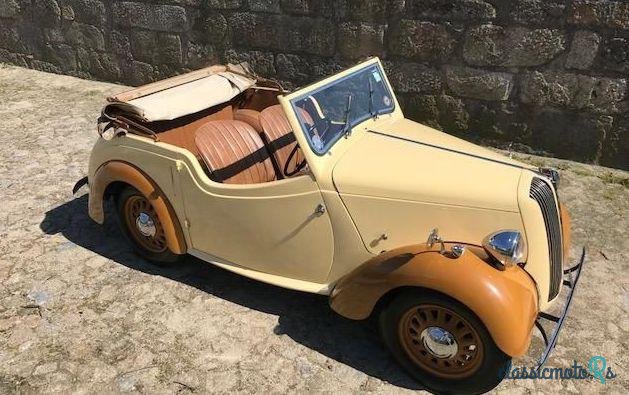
[(140, 223)]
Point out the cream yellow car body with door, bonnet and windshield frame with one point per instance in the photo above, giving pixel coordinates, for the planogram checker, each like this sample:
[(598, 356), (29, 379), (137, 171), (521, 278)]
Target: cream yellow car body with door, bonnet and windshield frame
[(382, 188)]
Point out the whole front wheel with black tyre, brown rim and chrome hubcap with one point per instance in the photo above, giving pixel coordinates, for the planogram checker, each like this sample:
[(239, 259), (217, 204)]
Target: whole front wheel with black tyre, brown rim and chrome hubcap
[(441, 343)]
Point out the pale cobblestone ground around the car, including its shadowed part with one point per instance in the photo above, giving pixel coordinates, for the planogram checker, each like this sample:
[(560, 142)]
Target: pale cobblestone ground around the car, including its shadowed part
[(80, 313)]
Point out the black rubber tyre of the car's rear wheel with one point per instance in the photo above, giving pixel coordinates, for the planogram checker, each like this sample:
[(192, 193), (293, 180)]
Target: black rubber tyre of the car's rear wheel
[(160, 254)]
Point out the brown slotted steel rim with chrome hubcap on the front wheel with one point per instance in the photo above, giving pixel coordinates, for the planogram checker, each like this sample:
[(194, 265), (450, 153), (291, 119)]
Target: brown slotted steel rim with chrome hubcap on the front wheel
[(413, 328)]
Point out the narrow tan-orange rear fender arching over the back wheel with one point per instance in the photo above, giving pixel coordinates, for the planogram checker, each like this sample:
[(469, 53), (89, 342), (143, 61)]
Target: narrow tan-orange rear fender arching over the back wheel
[(123, 172)]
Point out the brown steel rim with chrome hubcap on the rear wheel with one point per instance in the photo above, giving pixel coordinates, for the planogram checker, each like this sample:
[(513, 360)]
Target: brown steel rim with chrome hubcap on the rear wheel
[(137, 208)]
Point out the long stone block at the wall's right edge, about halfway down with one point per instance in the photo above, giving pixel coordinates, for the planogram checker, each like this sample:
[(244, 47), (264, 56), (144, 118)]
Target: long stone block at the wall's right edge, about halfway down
[(574, 91)]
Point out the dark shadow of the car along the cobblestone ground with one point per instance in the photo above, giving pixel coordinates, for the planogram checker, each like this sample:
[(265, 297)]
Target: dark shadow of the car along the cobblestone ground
[(305, 318)]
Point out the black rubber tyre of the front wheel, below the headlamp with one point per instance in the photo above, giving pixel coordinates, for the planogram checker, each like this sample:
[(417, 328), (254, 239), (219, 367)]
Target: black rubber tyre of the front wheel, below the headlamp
[(492, 362)]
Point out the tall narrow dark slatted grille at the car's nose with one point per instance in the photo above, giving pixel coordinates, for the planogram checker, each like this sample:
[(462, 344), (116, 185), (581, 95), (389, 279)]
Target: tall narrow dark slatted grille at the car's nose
[(542, 193)]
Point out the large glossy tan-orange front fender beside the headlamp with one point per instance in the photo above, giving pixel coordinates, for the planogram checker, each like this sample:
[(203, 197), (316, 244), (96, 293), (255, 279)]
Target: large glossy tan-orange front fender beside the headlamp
[(505, 301)]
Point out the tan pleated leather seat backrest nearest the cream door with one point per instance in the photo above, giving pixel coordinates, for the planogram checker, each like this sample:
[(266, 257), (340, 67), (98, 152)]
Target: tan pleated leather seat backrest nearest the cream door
[(234, 153)]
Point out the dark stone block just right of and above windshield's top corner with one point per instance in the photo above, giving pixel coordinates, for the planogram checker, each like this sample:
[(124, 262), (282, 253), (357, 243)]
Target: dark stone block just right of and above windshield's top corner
[(424, 41)]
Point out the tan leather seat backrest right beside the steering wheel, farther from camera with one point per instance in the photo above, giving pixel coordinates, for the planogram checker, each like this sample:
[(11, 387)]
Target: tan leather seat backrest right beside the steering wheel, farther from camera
[(280, 137)]
